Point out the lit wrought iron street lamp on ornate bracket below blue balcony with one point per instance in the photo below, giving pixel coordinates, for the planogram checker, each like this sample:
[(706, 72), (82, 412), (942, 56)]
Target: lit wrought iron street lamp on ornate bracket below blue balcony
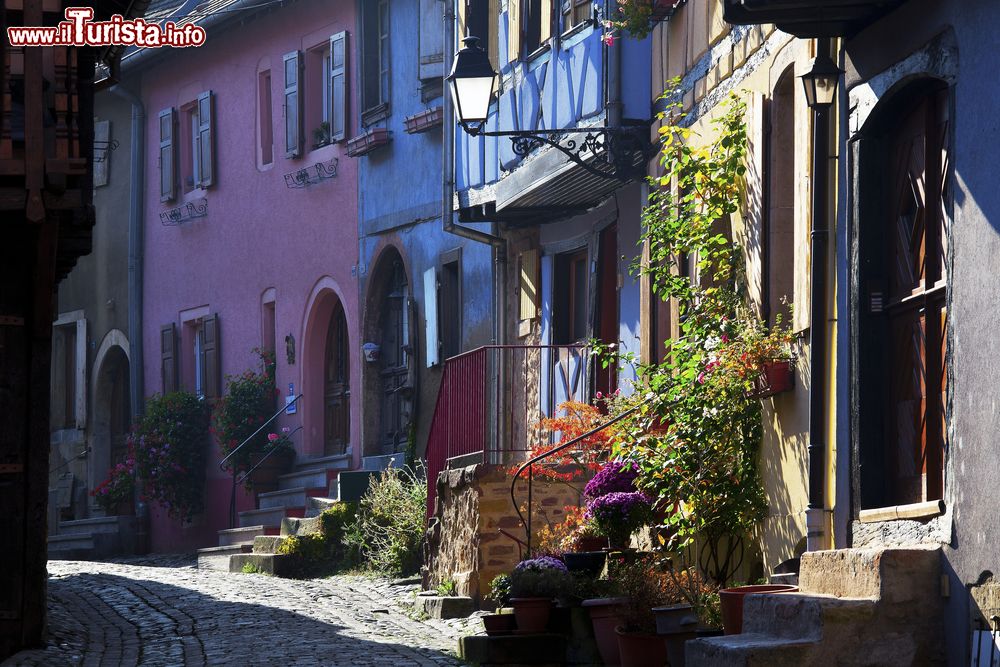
[(473, 82)]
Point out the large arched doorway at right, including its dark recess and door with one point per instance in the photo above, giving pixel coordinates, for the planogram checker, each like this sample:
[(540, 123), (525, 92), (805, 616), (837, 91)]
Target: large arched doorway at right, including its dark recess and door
[(902, 261)]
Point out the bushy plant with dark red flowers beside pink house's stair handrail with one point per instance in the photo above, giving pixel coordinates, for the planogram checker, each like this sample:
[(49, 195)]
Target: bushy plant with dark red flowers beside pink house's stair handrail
[(250, 400)]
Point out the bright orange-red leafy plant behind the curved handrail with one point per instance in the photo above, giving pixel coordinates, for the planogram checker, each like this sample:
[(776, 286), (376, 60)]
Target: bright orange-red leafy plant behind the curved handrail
[(586, 457)]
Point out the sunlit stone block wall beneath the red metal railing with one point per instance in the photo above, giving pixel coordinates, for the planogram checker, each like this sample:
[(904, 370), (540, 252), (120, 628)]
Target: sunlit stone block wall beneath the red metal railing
[(464, 542)]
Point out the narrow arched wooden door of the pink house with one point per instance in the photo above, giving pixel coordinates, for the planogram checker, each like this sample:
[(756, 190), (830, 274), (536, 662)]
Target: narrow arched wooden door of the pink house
[(336, 386)]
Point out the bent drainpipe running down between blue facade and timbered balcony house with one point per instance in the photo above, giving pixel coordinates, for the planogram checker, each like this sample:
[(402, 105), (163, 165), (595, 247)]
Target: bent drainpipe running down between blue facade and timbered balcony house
[(497, 243)]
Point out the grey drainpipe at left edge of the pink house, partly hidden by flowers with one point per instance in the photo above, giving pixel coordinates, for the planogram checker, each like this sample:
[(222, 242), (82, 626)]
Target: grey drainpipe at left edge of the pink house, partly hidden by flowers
[(136, 192)]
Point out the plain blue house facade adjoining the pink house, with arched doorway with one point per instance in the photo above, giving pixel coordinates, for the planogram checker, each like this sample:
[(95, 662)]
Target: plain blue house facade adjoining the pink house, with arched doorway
[(424, 294)]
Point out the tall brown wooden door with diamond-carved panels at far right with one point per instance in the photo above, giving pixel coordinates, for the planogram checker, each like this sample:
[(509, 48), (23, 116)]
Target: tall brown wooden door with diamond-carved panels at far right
[(916, 244)]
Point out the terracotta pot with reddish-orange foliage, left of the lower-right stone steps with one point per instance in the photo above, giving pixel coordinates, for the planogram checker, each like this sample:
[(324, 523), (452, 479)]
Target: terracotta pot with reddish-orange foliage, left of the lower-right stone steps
[(645, 587)]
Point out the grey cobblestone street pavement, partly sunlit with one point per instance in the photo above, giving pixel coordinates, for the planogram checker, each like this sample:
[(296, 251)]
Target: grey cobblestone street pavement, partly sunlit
[(165, 611)]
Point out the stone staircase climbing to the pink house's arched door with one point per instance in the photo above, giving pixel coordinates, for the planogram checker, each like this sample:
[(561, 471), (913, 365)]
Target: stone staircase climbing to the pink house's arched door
[(313, 485)]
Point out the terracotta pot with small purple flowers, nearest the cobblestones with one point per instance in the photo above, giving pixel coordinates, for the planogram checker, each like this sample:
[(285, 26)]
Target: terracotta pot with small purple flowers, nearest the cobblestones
[(534, 583)]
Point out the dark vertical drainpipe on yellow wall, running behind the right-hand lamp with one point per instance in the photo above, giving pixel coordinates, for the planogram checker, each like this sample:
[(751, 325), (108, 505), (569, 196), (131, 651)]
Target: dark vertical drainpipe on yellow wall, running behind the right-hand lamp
[(816, 528)]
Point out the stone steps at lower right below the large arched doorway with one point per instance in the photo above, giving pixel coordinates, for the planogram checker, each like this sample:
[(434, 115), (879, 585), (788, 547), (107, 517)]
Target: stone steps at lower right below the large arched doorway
[(854, 607)]
